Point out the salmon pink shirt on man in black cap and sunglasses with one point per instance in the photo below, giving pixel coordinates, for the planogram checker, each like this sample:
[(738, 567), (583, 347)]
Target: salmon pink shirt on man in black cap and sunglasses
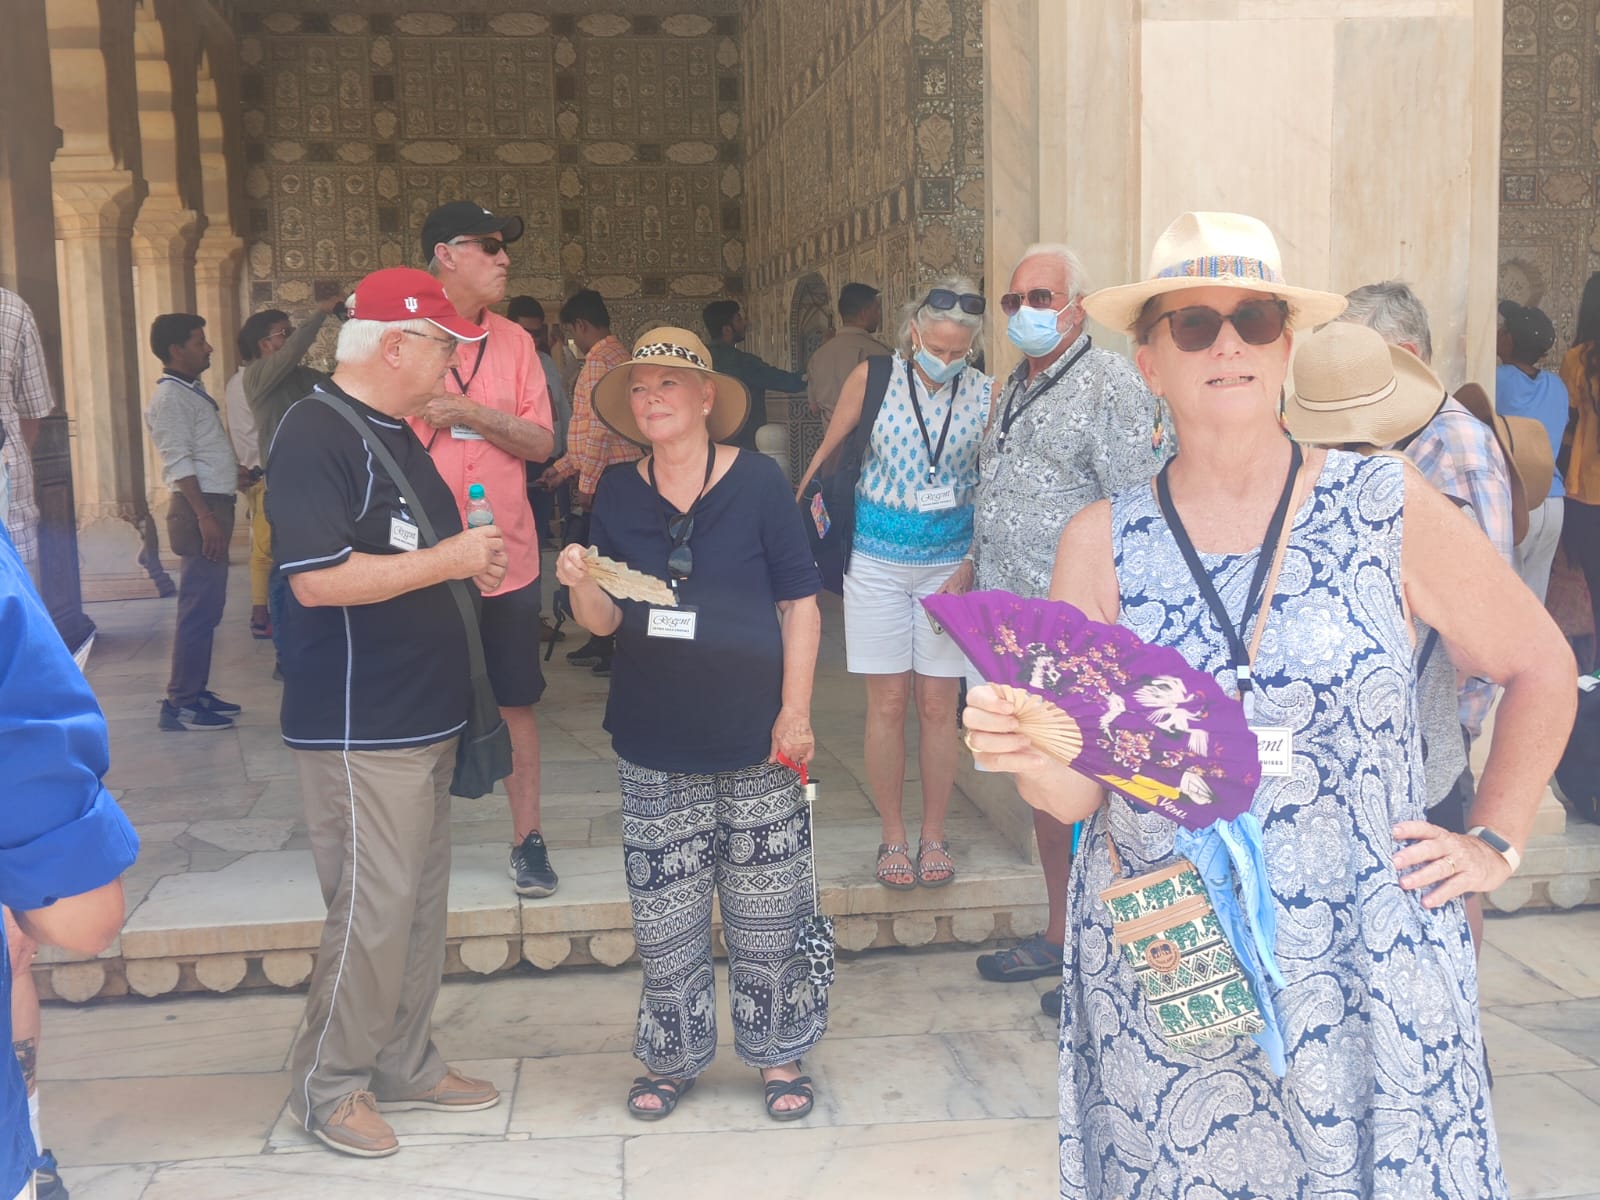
[(508, 377)]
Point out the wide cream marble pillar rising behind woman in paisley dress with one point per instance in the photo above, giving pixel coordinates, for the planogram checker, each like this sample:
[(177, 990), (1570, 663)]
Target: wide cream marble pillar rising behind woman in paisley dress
[(1366, 134)]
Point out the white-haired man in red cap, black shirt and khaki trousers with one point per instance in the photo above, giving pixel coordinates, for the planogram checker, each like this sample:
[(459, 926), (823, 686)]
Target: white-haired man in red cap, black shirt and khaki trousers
[(377, 694)]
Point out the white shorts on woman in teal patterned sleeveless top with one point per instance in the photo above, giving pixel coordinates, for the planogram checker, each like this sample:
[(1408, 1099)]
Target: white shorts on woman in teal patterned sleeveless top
[(887, 631)]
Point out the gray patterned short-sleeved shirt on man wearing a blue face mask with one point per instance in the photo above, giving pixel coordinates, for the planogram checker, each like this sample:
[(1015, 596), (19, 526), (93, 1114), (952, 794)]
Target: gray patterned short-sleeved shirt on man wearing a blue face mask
[(1076, 438)]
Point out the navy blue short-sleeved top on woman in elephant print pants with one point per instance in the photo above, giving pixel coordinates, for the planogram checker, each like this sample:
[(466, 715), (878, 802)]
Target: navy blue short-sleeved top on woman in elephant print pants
[(710, 705)]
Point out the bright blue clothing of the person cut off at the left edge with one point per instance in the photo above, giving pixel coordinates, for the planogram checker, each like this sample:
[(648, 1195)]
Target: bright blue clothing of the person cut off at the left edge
[(62, 833)]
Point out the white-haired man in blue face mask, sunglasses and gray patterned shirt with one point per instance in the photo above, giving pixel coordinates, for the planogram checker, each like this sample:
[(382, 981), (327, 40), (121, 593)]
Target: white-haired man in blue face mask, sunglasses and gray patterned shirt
[(1073, 426)]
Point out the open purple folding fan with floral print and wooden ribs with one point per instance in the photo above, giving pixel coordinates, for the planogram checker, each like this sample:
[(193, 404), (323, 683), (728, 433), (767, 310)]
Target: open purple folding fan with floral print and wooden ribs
[(1130, 716)]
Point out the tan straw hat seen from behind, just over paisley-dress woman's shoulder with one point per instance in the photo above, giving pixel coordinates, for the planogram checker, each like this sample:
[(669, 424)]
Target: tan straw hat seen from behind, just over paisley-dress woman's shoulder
[(1351, 386)]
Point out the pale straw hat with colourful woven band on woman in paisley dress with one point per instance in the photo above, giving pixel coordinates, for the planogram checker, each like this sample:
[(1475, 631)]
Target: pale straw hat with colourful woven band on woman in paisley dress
[(1214, 250)]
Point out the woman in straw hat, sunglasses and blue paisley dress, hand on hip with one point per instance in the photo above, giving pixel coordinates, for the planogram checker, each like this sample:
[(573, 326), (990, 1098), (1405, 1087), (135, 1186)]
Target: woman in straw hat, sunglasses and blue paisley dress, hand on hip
[(1377, 1082)]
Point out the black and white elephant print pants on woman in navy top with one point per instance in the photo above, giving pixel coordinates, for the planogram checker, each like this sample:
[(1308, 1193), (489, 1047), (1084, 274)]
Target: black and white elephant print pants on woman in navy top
[(745, 834)]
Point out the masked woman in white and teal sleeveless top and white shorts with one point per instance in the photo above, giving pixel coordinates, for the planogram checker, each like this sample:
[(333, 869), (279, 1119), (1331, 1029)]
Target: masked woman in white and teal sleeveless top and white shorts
[(914, 534)]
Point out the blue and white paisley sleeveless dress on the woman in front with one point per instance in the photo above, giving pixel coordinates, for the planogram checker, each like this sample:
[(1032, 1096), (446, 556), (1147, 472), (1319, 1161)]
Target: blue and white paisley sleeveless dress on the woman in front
[(1386, 1092)]
